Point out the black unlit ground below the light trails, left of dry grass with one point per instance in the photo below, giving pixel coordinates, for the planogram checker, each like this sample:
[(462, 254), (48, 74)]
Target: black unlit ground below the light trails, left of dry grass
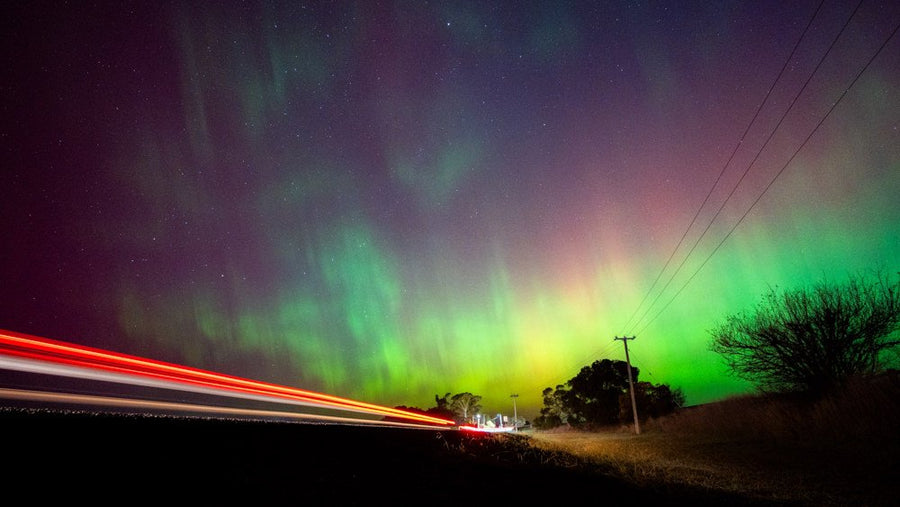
[(85, 457)]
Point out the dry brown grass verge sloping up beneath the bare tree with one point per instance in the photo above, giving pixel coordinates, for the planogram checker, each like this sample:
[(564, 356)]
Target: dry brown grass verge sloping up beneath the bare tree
[(838, 451)]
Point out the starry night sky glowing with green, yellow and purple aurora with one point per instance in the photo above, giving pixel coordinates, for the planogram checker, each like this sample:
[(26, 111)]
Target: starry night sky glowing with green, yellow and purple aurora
[(391, 200)]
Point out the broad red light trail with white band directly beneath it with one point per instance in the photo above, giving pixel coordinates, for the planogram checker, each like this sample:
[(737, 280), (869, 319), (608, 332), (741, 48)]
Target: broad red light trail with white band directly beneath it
[(40, 355)]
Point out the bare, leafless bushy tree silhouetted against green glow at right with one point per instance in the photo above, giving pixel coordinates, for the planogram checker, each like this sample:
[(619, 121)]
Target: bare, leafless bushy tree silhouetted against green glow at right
[(813, 340)]
